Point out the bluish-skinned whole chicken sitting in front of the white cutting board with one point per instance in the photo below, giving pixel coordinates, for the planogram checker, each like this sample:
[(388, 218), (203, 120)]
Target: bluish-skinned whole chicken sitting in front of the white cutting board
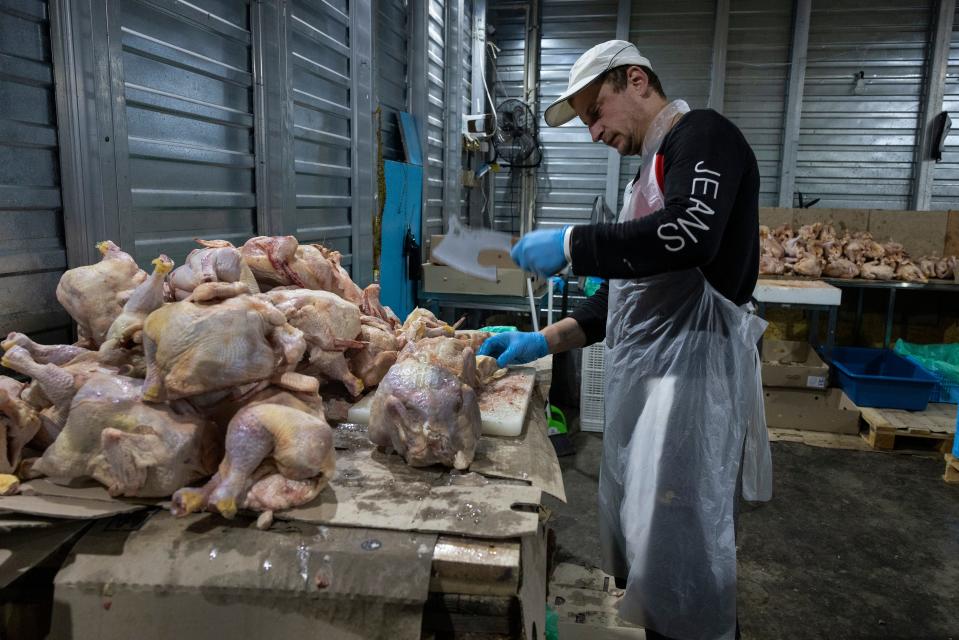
[(426, 407)]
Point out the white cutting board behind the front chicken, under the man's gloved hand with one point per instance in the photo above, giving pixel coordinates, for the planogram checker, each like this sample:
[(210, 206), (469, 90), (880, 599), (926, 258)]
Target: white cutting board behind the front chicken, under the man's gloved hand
[(503, 404)]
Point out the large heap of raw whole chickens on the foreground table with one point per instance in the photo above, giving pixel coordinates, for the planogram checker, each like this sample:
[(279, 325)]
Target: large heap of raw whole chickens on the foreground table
[(203, 382)]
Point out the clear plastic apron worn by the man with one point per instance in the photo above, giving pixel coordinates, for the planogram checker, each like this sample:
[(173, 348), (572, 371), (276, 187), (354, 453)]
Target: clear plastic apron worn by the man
[(684, 407)]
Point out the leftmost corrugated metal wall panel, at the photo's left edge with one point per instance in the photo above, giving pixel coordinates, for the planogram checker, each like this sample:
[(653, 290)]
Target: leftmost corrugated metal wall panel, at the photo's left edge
[(32, 250)]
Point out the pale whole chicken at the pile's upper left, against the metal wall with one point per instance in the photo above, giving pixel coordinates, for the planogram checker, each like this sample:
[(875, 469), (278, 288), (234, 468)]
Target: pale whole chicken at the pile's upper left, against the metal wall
[(94, 295)]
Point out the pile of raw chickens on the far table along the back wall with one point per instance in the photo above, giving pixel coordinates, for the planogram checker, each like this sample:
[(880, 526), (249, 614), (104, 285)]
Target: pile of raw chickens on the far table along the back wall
[(817, 250)]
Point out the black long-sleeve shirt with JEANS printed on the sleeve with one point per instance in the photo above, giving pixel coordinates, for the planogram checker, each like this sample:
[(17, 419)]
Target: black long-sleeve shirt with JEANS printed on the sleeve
[(710, 220)]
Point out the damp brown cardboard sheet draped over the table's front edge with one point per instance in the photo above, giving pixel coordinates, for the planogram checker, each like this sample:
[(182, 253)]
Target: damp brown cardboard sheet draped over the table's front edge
[(204, 577)]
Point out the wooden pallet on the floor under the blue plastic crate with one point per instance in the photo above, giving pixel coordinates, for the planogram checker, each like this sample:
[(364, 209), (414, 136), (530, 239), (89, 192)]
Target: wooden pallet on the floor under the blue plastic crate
[(893, 430)]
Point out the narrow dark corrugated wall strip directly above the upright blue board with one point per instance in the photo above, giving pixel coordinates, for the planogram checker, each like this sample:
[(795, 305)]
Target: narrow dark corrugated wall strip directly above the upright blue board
[(390, 62)]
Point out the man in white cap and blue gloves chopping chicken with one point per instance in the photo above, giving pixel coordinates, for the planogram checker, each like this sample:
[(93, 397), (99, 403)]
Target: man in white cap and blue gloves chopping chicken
[(684, 415)]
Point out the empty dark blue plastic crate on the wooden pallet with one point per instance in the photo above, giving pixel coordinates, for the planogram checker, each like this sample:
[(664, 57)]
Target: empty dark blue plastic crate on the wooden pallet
[(881, 378)]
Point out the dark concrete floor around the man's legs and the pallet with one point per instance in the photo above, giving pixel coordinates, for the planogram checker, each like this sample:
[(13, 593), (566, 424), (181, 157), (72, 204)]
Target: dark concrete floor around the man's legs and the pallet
[(853, 544)]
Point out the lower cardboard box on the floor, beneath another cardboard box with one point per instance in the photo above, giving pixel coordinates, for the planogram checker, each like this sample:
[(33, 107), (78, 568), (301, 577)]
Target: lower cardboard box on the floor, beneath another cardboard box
[(830, 411)]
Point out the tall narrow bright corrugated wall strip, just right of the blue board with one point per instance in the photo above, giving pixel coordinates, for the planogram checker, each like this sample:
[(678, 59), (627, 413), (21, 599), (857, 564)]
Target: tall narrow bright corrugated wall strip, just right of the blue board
[(434, 153)]
